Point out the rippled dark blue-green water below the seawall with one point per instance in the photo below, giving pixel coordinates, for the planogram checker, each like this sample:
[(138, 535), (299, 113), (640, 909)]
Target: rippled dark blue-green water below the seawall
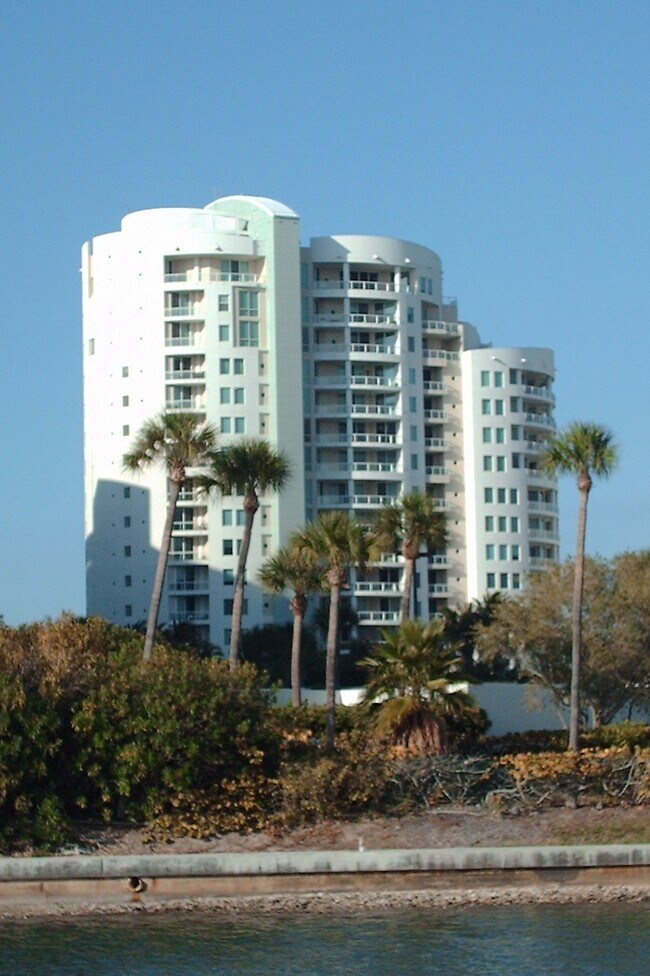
[(592, 940)]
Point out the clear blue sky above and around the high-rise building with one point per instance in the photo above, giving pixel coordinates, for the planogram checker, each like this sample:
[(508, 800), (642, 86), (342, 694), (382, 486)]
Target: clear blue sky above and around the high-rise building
[(510, 137)]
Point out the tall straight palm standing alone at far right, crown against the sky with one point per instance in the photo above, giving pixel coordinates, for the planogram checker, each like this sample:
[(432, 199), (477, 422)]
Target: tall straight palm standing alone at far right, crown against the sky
[(583, 450)]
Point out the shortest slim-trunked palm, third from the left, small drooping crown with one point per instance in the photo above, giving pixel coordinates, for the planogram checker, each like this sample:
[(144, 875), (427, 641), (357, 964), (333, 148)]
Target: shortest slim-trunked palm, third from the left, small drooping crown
[(298, 570)]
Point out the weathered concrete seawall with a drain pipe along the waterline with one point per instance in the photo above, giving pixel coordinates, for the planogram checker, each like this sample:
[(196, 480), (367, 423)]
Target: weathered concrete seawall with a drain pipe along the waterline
[(45, 885)]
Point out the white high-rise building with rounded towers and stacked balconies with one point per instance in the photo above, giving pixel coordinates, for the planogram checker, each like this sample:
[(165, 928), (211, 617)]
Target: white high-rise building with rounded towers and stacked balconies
[(344, 355)]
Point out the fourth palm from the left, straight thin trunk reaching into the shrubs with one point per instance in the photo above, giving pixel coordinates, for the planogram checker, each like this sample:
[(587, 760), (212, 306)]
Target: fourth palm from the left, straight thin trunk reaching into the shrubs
[(338, 542)]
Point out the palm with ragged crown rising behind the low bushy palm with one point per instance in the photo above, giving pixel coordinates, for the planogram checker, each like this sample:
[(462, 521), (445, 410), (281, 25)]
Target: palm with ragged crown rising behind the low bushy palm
[(414, 526)]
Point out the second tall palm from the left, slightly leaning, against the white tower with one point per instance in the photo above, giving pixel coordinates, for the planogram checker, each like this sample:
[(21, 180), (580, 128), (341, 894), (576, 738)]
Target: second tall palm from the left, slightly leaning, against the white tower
[(246, 467)]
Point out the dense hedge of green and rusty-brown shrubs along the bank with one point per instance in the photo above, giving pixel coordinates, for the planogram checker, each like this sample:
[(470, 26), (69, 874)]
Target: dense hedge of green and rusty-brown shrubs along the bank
[(183, 745)]
